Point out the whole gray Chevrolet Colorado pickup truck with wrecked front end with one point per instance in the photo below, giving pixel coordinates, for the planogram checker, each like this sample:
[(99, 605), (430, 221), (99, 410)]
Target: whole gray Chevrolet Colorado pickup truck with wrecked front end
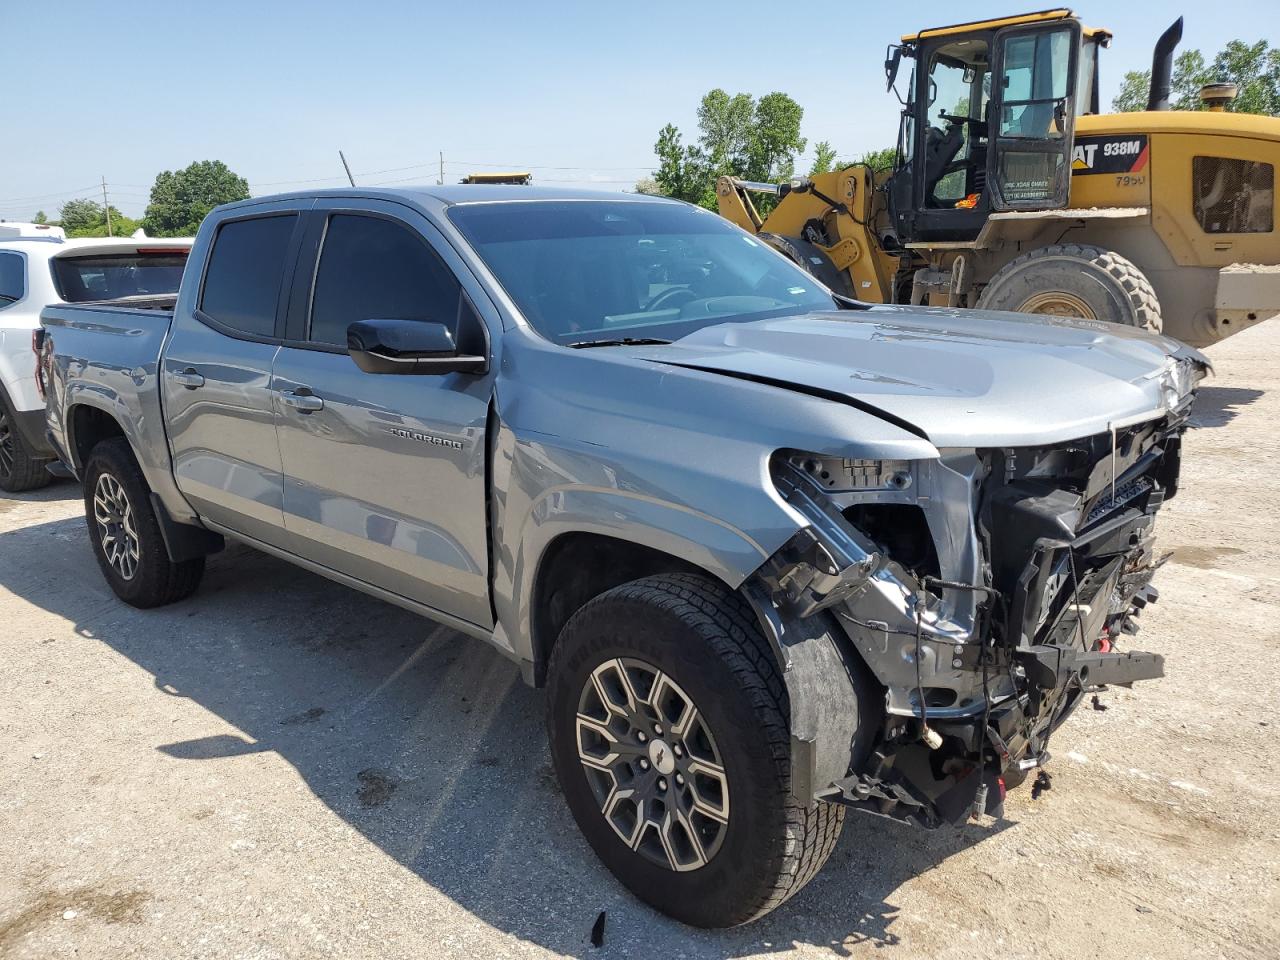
[(774, 554)]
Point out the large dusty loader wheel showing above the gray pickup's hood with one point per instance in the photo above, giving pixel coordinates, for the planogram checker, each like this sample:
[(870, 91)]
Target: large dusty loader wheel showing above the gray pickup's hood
[(1089, 282)]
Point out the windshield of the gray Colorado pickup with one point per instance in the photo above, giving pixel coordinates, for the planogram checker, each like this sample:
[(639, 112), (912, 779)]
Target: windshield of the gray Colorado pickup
[(592, 271)]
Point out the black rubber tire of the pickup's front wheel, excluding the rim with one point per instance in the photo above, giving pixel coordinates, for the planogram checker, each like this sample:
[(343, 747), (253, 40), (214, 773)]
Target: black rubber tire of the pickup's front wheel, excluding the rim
[(706, 639)]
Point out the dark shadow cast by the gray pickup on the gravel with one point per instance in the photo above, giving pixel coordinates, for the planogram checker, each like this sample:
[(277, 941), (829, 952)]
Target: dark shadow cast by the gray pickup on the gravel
[(432, 748)]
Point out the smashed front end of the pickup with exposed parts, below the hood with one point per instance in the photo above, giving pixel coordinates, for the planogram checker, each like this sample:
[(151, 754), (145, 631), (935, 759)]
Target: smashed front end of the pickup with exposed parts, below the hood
[(988, 592)]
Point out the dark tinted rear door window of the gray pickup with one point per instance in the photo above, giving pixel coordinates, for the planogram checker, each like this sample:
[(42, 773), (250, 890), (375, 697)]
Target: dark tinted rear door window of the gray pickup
[(246, 273)]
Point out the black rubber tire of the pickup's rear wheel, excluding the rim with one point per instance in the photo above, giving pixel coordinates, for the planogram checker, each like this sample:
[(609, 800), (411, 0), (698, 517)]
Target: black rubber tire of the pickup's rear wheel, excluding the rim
[(156, 580)]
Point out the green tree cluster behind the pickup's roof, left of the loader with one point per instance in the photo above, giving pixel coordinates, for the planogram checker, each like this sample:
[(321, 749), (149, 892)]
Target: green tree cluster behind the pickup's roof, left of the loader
[(739, 136)]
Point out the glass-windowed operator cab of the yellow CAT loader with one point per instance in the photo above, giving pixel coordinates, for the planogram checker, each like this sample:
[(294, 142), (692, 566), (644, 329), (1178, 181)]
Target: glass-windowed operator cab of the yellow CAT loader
[(988, 124)]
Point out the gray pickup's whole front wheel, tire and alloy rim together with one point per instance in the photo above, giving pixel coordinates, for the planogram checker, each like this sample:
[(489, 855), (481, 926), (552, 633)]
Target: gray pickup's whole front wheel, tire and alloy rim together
[(669, 725)]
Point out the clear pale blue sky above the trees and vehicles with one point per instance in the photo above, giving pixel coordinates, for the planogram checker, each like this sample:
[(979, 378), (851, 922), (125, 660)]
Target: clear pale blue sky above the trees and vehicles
[(575, 93)]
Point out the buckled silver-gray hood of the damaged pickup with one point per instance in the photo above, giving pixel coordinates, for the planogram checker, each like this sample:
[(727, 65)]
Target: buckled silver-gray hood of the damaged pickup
[(962, 378)]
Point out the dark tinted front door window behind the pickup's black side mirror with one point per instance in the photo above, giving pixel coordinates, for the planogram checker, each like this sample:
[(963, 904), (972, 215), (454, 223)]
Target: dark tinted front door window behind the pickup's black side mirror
[(377, 269)]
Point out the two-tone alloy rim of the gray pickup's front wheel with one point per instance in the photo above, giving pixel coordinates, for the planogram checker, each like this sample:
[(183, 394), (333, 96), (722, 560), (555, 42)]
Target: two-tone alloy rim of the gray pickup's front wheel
[(653, 765)]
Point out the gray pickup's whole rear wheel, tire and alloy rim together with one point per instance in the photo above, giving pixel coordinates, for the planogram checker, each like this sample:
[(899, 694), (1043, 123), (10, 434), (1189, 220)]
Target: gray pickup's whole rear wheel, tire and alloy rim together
[(126, 532)]
